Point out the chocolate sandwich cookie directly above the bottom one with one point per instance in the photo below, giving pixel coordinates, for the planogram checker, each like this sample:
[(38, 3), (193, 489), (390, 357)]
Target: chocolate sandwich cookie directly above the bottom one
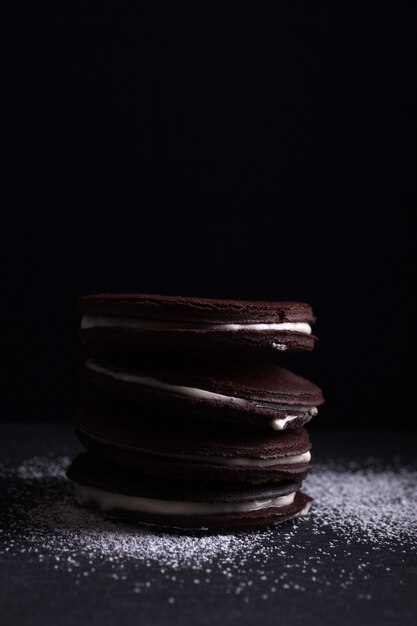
[(168, 448)]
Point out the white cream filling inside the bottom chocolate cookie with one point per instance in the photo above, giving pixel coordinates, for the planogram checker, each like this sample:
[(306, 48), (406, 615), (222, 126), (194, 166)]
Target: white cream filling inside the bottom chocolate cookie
[(107, 501)]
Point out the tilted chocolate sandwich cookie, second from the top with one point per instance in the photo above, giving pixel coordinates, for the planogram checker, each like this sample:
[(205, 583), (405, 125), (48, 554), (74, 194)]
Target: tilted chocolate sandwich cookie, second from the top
[(261, 394)]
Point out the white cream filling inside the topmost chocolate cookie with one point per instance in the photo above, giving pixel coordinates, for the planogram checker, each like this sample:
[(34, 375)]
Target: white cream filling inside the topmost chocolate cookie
[(109, 321)]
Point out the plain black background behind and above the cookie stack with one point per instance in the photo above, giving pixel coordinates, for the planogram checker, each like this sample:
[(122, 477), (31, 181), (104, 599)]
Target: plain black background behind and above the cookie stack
[(241, 150)]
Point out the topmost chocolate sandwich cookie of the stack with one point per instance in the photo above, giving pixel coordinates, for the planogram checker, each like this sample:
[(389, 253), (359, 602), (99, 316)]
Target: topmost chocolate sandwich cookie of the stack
[(178, 325)]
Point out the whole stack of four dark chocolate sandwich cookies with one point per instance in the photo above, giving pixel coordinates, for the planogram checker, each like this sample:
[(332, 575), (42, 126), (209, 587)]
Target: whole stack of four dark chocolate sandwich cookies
[(187, 419)]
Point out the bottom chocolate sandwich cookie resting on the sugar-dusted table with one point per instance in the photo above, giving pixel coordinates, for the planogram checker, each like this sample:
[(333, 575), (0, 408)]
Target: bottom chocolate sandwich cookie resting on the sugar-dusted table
[(179, 504)]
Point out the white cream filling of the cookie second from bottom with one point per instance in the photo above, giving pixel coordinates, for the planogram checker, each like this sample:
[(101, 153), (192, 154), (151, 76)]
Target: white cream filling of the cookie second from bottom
[(305, 457)]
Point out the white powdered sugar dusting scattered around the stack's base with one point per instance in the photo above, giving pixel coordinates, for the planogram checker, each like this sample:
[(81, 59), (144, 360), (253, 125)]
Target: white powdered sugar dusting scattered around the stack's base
[(370, 505)]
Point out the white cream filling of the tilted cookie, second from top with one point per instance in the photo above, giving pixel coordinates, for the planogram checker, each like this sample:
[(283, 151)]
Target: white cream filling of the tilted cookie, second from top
[(201, 394)]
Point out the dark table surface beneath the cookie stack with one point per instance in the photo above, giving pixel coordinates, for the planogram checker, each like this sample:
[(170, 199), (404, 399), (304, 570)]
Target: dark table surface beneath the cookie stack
[(295, 574)]
